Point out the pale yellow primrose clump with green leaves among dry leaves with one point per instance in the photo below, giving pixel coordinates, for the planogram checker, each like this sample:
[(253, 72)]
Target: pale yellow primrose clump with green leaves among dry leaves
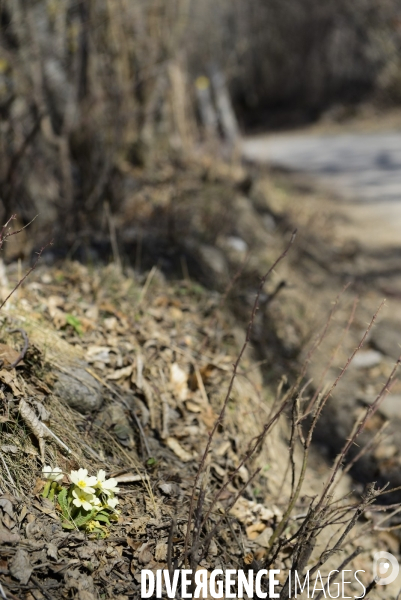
[(89, 500)]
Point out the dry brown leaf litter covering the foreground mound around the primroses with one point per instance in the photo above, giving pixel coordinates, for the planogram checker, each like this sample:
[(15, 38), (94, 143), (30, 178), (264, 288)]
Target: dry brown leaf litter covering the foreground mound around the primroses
[(159, 397)]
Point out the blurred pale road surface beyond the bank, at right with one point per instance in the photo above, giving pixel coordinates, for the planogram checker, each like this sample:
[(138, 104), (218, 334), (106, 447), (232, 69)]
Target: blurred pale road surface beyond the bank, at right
[(363, 170)]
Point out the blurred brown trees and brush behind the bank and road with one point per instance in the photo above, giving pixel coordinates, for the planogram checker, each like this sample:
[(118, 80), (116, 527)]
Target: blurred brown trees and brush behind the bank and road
[(91, 88)]
